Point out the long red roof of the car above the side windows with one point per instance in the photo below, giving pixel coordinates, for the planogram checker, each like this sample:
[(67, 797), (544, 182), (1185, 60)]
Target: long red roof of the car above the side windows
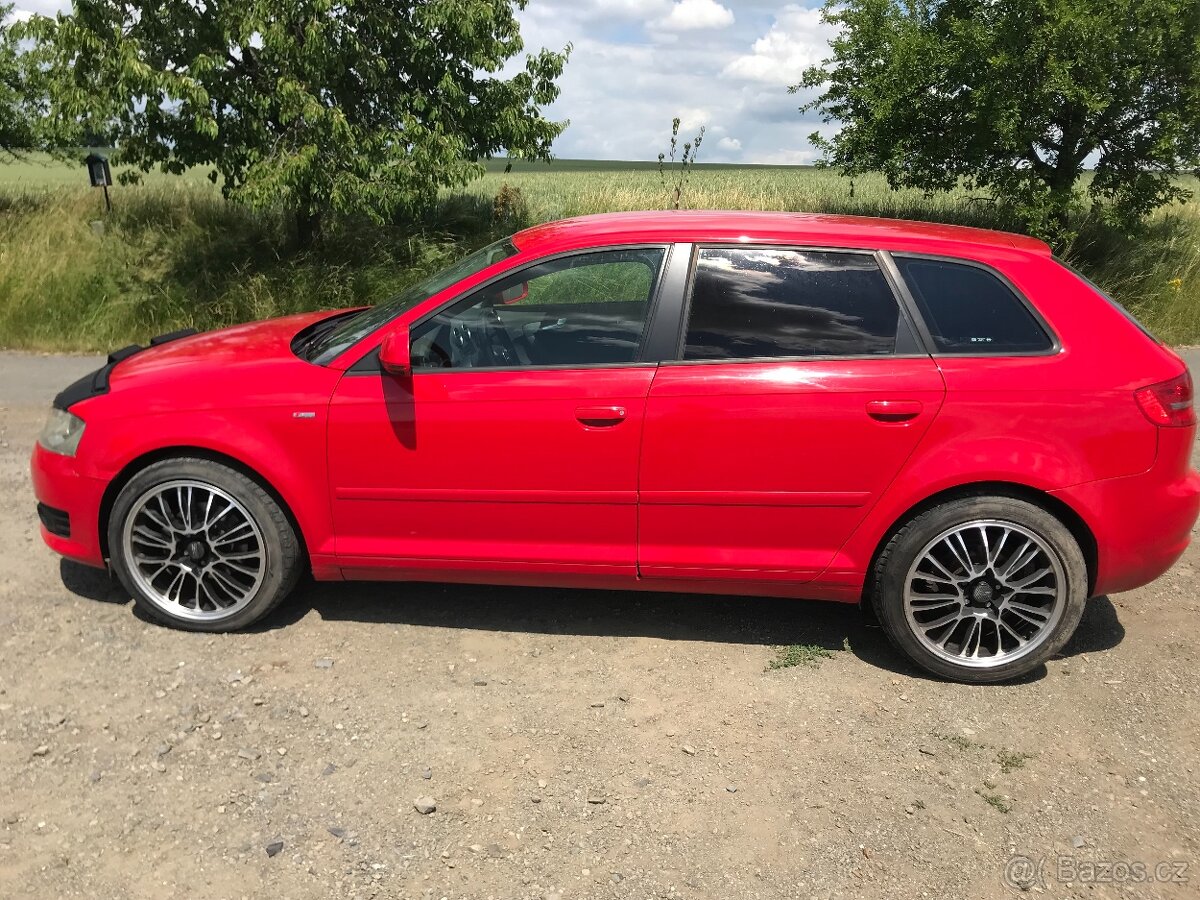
[(743, 227)]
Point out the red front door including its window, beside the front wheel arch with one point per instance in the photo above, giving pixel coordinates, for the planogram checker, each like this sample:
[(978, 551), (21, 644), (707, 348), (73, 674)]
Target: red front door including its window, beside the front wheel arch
[(514, 445)]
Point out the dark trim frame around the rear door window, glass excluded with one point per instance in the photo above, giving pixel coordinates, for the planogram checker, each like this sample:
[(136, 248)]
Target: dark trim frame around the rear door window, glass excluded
[(917, 337)]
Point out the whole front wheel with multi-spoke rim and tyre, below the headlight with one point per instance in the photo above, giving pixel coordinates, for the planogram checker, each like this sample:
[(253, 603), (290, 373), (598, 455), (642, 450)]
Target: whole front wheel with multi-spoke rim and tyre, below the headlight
[(201, 547)]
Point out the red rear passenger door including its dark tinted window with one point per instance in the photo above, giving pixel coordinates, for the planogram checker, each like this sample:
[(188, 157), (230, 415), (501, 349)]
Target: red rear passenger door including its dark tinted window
[(799, 394)]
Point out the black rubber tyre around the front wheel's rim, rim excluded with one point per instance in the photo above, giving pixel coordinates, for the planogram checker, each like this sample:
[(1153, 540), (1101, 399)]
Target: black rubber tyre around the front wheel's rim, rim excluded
[(256, 502)]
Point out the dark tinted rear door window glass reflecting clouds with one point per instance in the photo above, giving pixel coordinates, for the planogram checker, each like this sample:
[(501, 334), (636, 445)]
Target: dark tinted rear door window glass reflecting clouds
[(754, 303)]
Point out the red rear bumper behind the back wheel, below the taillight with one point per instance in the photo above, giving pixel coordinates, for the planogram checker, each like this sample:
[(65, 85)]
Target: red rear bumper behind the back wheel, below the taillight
[(1143, 524)]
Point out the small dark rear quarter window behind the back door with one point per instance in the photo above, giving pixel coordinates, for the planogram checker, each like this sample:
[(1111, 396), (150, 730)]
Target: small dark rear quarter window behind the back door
[(970, 310)]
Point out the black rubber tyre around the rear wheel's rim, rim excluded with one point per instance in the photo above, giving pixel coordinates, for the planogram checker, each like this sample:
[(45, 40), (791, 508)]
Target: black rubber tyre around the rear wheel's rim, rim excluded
[(902, 553)]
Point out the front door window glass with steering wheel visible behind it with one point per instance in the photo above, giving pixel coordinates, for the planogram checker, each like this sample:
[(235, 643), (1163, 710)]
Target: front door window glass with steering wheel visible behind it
[(575, 311)]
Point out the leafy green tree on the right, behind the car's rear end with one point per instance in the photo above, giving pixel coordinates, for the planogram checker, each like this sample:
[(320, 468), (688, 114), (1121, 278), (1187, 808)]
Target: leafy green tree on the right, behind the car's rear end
[(1017, 98)]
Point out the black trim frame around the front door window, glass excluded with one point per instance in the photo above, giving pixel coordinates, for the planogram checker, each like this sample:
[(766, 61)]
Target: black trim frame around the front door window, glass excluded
[(369, 364)]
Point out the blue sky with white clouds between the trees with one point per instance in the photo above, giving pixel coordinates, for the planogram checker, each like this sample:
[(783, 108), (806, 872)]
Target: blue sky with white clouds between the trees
[(638, 64)]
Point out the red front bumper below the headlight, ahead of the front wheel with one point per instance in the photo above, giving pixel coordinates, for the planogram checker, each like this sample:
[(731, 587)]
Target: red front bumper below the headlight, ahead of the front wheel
[(59, 487)]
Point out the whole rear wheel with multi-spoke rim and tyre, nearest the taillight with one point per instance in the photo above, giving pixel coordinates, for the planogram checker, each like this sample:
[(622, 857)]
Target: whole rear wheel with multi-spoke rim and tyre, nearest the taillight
[(968, 623)]
